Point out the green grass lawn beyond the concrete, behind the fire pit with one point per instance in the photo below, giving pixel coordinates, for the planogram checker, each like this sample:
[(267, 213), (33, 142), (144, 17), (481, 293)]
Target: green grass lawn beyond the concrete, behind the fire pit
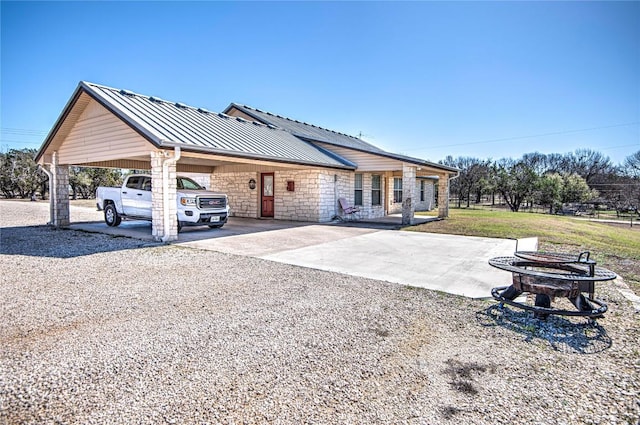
[(614, 246)]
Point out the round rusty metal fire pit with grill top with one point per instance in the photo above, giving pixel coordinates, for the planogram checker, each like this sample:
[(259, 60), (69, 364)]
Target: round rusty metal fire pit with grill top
[(548, 275)]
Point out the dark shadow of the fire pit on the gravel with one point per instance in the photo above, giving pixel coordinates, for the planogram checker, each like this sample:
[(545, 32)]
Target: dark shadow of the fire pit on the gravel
[(580, 336)]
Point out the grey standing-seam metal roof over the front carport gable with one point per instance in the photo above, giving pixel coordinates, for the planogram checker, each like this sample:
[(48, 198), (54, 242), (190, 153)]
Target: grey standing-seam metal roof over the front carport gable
[(169, 124)]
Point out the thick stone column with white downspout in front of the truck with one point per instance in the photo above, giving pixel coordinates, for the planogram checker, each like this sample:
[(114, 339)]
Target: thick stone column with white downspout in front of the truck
[(160, 229)]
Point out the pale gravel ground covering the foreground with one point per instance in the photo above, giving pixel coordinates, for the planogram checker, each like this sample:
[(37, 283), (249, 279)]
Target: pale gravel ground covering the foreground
[(103, 330)]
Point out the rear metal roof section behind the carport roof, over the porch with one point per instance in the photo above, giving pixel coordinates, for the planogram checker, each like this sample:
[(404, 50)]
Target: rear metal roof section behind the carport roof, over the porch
[(314, 133)]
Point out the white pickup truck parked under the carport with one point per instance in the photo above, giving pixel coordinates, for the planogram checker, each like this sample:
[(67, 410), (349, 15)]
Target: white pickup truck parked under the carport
[(196, 205)]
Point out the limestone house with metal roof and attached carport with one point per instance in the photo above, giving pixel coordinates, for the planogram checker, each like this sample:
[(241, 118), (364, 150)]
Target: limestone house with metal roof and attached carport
[(269, 165)]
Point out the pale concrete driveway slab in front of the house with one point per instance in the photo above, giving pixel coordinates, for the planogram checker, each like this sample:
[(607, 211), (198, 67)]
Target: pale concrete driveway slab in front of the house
[(448, 263)]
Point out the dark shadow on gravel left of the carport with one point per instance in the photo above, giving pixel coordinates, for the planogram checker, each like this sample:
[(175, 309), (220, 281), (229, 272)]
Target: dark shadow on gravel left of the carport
[(45, 241)]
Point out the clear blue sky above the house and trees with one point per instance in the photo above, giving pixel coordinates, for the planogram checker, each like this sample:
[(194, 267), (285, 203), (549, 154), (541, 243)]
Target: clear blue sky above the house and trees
[(425, 79)]
